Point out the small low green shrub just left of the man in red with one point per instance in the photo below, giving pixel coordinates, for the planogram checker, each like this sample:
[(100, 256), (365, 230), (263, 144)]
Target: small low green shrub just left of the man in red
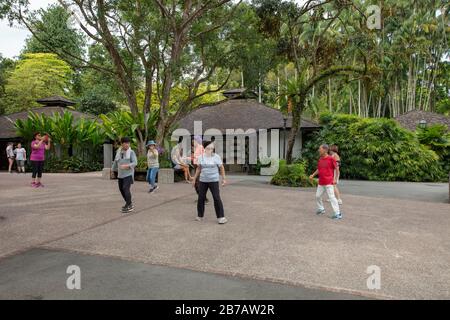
[(293, 175)]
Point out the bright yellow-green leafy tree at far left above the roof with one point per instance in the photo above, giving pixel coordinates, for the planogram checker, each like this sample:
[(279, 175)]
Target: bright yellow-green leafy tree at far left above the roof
[(36, 76)]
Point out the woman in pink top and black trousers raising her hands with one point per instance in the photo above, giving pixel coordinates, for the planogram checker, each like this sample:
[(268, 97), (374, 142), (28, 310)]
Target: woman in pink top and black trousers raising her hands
[(37, 157)]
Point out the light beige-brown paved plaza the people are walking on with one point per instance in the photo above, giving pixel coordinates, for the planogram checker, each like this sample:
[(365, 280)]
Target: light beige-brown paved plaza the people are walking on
[(273, 234)]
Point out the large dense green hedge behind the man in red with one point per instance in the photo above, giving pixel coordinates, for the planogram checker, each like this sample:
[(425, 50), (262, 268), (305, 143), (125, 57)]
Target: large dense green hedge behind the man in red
[(375, 149)]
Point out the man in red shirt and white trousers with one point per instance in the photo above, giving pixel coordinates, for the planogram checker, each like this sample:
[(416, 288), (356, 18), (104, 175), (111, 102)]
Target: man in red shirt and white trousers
[(326, 167)]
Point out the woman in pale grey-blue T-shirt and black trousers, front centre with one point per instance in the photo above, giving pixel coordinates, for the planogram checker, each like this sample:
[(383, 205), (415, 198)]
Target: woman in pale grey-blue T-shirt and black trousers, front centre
[(209, 168)]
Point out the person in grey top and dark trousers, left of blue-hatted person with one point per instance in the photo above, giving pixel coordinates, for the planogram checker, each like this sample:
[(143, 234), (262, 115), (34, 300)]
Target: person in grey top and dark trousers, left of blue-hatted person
[(124, 163)]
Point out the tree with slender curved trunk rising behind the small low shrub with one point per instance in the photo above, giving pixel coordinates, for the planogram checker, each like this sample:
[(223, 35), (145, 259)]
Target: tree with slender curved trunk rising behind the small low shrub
[(306, 38)]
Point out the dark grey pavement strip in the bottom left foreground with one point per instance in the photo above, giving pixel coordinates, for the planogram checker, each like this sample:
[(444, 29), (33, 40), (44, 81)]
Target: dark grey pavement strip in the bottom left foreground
[(40, 274)]
